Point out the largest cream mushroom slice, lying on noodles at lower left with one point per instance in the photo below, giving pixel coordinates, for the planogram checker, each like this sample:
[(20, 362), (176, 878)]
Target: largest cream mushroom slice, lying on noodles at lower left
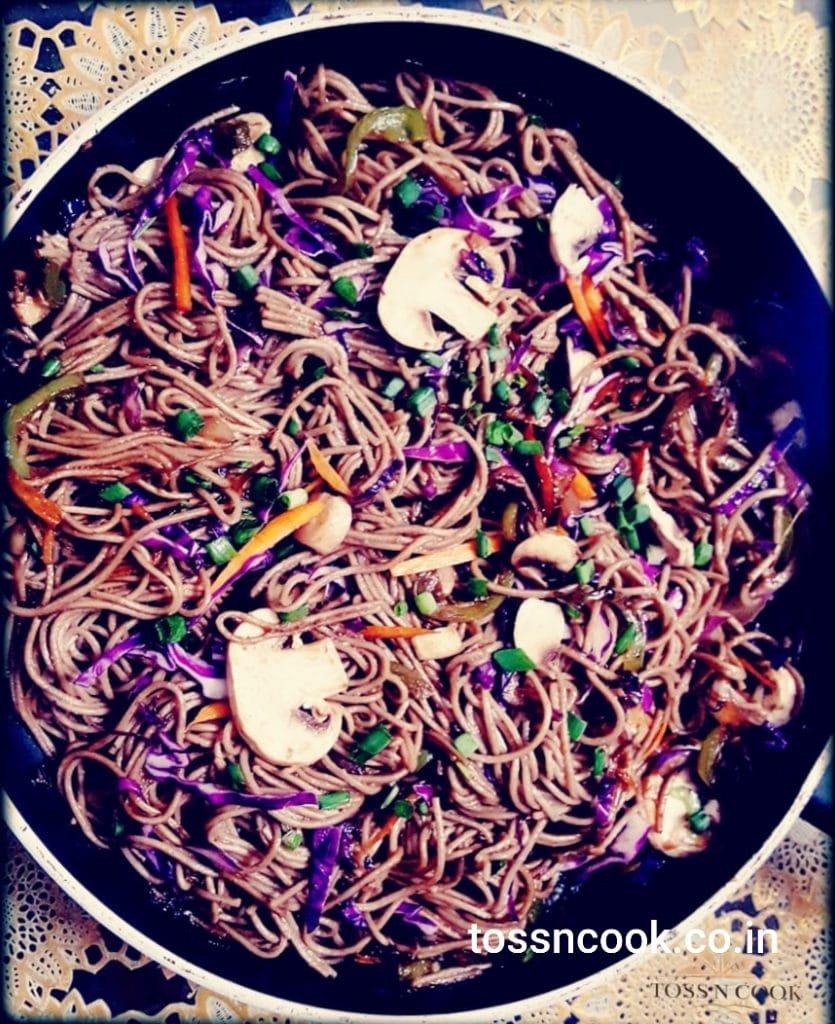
[(279, 695)]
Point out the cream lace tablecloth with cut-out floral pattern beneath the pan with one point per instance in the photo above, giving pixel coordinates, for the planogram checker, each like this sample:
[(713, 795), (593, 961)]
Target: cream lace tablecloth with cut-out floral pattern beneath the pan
[(757, 73)]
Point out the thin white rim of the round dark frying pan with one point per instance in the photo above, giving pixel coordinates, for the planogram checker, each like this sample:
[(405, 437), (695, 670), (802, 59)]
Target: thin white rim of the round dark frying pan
[(29, 193)]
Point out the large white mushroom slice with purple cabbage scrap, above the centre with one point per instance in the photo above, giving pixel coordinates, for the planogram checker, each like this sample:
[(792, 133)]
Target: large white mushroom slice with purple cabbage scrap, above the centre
[(423, 282)]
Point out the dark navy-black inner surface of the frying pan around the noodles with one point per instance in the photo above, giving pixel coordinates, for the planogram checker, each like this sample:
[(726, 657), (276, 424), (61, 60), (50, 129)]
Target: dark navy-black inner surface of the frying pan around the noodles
[(679, 183)]
